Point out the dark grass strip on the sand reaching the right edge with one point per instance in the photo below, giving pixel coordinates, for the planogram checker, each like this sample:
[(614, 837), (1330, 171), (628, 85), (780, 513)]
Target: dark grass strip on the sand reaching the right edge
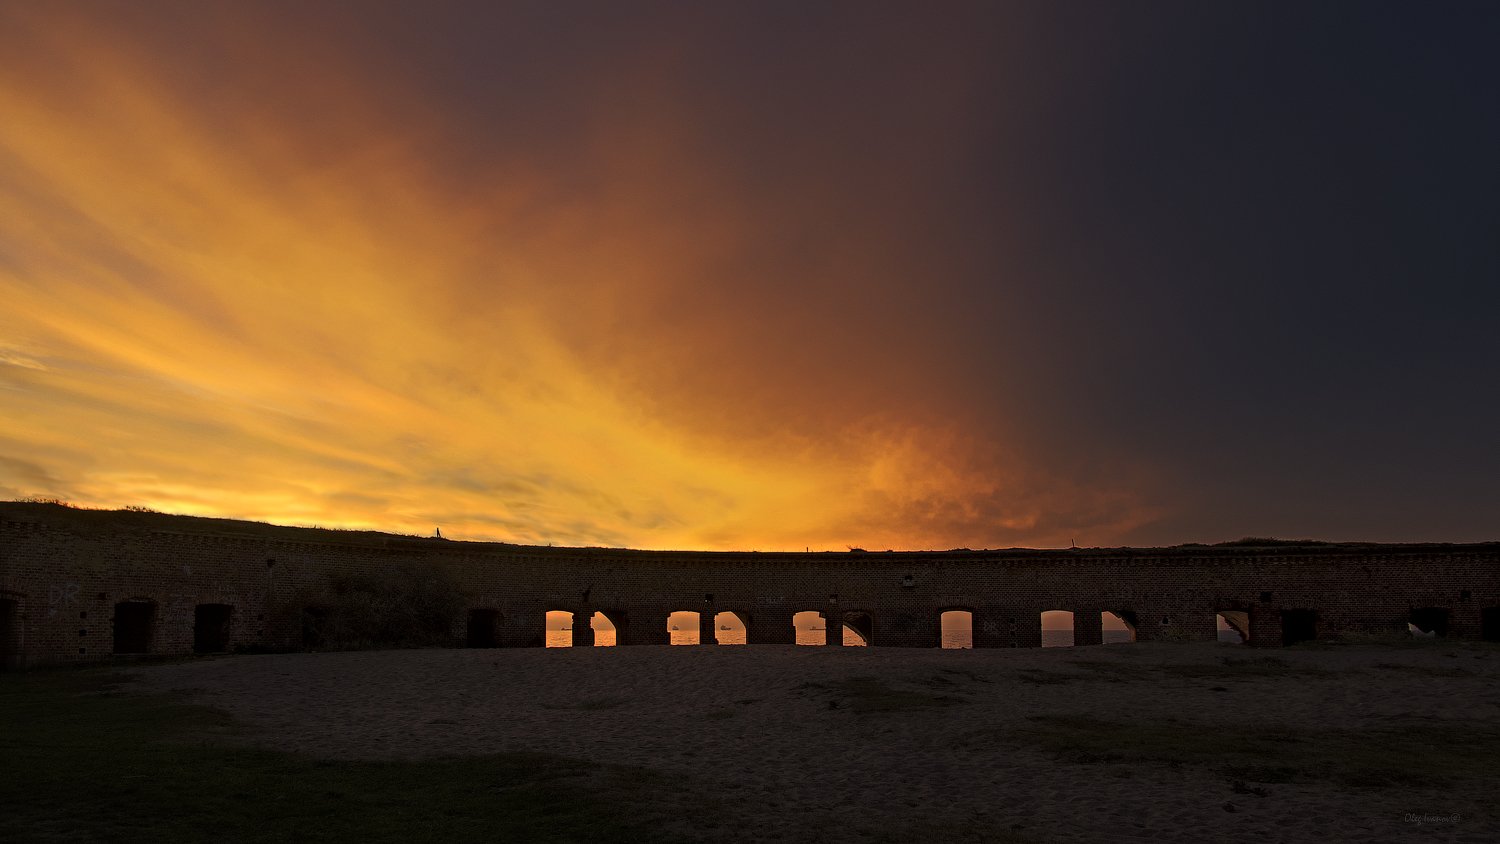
[(1414, 756)]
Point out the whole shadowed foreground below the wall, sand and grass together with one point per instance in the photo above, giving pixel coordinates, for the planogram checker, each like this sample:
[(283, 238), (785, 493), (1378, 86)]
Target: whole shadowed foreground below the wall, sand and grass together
[(1181, 743)]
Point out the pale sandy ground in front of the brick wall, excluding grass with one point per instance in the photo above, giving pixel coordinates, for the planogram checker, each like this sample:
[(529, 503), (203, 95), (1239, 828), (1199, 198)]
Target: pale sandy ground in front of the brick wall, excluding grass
[(781, 741)]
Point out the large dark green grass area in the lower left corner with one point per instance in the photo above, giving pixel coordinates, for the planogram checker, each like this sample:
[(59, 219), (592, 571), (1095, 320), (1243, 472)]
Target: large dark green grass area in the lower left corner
[(80, 761)]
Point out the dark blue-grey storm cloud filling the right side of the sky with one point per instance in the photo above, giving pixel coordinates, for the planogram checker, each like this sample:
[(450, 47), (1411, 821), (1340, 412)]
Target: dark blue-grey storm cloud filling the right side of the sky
[(1271, 233)]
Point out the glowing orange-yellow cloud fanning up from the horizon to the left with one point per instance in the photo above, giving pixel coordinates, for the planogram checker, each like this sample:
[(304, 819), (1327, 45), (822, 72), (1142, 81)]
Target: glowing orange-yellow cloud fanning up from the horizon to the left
[(278, 308)]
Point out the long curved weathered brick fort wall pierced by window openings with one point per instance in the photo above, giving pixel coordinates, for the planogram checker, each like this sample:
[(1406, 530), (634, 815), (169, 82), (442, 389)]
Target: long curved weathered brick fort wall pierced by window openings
[(68, 578)]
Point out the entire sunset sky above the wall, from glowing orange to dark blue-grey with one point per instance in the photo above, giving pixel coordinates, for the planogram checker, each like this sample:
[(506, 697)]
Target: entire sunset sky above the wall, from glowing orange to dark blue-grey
[(758, 275)]
